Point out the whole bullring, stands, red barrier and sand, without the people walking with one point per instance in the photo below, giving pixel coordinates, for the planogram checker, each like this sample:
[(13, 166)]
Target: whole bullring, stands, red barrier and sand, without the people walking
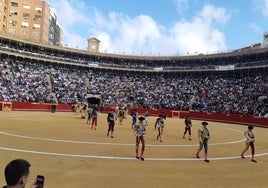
[(227, 90)]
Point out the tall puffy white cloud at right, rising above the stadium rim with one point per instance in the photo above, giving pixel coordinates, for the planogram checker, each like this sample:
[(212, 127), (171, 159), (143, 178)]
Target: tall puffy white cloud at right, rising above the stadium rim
[(201, 35)]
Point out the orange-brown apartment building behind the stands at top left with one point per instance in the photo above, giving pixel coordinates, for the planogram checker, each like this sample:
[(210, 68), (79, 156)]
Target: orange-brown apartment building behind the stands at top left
[(30, 20)]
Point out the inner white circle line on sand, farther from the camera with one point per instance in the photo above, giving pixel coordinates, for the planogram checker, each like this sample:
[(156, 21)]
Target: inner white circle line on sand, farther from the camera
[(116, 144)]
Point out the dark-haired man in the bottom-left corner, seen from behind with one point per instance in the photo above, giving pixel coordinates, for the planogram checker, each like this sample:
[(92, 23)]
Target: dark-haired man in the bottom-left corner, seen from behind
[(17, 173)]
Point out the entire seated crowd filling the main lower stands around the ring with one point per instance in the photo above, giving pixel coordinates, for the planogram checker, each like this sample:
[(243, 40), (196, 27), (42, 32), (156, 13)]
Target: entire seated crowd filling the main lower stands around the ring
[(26, 81)]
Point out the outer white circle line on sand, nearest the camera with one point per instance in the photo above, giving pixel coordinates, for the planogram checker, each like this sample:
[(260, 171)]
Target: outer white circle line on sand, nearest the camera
[(120, 158)]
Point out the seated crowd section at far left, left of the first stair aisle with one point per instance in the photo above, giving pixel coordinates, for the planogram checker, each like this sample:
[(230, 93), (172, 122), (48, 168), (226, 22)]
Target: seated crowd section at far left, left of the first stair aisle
[(23, 82)]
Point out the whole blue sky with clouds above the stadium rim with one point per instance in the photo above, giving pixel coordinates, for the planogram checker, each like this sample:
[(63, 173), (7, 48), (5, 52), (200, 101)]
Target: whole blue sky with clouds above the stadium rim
[(162, 27)]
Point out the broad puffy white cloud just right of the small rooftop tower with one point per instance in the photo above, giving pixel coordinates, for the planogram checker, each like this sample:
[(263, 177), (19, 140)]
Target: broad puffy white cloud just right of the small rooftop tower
[(130, 35)]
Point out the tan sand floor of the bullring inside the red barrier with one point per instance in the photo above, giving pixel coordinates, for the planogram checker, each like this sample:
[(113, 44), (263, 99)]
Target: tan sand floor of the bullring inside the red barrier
[(64, 149)]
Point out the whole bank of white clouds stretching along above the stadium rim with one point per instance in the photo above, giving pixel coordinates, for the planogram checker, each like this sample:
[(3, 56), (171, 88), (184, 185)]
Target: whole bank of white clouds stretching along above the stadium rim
[(120, 33)]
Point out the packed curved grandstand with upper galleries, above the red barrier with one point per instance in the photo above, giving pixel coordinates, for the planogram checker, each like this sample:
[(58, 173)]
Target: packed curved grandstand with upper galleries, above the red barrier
[(230, 83)]
